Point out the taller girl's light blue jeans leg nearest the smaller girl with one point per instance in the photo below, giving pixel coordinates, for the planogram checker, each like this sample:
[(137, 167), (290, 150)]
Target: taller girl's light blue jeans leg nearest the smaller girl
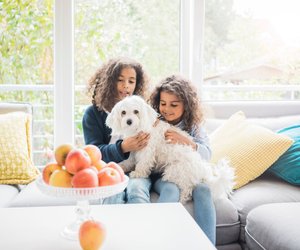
[(138, 190)]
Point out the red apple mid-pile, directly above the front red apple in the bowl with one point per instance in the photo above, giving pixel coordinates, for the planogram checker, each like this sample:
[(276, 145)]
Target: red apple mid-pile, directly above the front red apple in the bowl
[(76, 160)]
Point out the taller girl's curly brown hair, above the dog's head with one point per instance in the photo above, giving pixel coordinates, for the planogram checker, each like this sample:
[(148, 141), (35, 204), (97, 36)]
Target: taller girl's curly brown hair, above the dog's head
[(102, 87)]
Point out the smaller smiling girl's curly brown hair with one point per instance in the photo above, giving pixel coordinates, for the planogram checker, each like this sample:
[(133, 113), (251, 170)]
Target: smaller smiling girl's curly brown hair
[(187, 93)]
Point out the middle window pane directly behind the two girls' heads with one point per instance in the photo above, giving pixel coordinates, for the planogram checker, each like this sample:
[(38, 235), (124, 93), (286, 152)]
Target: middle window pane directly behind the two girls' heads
[(143, 30)]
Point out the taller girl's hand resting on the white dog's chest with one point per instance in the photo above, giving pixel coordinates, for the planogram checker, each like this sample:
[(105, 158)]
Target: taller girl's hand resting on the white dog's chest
[(135, 143)]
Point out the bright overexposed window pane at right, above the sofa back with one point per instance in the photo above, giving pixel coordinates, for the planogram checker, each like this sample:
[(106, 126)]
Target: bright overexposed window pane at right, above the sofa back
[(252, 49)]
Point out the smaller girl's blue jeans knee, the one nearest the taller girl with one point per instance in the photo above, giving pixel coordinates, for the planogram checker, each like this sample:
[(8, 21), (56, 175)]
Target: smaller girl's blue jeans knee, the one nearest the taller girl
[(167, 191)]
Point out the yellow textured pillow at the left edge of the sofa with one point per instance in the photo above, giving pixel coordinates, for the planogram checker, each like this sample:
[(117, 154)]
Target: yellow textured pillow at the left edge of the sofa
[(16, 166)]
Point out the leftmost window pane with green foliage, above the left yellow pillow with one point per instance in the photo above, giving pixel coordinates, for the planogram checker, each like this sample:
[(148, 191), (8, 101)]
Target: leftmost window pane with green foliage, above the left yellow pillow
[(26, 65)]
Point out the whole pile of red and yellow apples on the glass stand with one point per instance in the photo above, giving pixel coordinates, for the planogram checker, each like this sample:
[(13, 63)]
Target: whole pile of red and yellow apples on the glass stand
[(81, 168)]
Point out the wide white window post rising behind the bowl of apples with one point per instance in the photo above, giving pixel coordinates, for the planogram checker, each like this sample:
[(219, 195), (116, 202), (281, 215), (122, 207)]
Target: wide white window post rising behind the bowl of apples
[(63, 73)]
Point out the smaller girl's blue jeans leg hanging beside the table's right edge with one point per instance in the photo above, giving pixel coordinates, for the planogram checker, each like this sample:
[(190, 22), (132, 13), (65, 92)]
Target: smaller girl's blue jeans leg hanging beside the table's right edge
[(204, 211)]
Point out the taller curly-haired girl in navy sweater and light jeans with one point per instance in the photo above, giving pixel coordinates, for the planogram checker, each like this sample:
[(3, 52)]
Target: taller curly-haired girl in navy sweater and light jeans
[(113, 81)]
